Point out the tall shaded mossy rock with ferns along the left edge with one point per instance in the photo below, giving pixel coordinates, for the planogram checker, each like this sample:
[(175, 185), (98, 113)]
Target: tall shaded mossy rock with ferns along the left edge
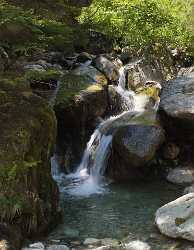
[(29, 196)]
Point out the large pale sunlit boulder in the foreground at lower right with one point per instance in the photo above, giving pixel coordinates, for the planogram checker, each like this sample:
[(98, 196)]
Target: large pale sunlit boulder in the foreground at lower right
[(176, 219)]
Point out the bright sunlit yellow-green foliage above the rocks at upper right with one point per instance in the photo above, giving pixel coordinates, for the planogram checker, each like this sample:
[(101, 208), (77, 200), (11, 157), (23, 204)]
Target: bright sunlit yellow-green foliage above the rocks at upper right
[(139, 23)]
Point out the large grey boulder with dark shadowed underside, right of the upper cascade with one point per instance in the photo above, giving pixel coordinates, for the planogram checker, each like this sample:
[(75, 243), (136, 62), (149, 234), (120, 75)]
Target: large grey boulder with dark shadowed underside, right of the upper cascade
[(176, 108)]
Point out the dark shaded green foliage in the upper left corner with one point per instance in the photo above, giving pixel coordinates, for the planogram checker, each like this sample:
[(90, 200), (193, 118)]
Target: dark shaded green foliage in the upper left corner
[(27, 26)]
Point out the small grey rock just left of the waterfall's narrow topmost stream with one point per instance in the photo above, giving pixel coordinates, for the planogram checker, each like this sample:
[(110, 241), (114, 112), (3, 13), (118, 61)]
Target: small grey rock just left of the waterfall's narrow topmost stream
[(107, 67)]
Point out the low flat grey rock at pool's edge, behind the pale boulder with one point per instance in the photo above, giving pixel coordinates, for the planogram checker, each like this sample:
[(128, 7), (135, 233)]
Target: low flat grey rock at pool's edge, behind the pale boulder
[(181, 175)]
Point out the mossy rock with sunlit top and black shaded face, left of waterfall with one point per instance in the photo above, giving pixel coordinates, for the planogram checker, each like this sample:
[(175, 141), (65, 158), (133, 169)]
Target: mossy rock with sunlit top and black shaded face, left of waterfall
[(81, 99)]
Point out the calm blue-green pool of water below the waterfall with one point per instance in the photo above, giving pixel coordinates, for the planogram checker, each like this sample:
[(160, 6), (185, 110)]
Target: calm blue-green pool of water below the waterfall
[(125, 210)]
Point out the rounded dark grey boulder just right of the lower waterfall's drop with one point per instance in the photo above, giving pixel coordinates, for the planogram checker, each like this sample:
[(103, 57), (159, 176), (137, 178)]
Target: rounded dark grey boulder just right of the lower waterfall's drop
[(134, 146)]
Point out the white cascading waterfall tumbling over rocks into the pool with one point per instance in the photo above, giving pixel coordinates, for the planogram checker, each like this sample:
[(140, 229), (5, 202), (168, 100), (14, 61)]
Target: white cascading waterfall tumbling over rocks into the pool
[(88, 179)]
